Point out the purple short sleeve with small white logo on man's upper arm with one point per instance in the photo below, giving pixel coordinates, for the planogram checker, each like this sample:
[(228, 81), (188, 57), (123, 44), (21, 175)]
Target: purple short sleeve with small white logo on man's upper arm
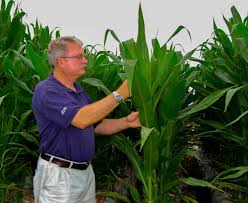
[(59, 107)]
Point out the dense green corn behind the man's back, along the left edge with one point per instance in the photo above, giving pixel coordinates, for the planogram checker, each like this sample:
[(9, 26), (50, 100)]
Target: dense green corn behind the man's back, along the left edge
[(21, 67)]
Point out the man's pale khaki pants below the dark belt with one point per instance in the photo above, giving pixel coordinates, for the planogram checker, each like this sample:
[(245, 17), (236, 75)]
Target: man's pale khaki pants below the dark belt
[(54, 184)]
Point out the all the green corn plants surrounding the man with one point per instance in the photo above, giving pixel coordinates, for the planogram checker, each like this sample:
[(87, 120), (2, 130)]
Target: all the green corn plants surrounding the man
[(182, 107)]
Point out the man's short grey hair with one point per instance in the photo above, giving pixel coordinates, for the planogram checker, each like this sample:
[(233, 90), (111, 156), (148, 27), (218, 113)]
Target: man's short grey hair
[(59, 47)]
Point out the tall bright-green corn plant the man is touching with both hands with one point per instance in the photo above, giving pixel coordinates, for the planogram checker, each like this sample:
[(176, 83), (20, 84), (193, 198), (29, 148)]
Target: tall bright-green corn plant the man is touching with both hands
[(158, 87)]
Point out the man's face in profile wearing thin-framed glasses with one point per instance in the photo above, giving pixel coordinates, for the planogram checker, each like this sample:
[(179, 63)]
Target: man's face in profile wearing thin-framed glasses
[(73, 63)]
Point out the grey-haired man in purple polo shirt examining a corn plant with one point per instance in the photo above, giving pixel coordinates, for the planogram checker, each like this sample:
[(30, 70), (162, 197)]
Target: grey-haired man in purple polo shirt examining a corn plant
[(67, 120)]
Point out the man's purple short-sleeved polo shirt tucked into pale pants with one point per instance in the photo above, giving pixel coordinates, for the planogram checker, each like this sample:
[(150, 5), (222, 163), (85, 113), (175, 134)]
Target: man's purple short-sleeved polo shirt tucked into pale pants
[(54, 107)]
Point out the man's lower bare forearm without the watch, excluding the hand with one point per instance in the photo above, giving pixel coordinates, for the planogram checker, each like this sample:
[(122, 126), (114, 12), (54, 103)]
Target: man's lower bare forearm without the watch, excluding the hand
[(111, 126)]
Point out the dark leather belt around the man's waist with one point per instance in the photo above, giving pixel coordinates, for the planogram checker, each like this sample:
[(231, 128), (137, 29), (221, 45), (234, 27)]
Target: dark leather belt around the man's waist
[(64, 163)]
